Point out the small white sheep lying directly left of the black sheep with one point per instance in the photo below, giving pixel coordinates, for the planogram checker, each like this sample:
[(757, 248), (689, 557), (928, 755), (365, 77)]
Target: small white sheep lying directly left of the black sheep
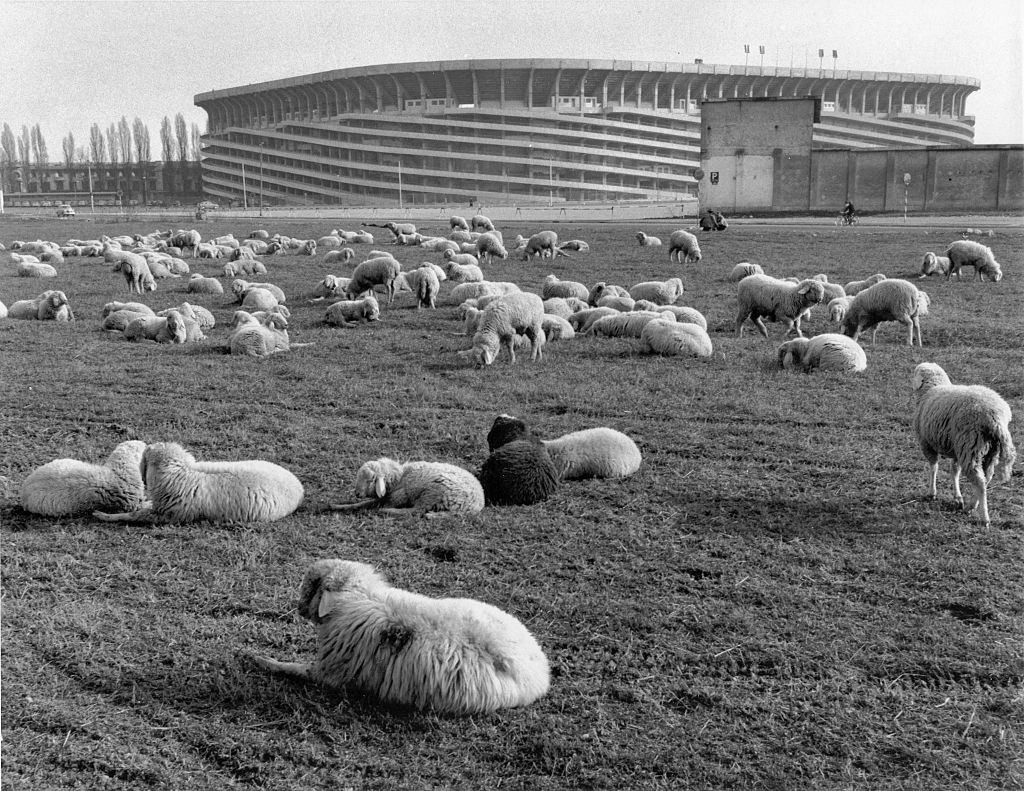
[(426, 488)]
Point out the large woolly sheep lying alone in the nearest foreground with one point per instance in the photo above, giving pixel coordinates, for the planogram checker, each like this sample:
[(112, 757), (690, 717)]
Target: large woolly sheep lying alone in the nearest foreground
[(449, 656)]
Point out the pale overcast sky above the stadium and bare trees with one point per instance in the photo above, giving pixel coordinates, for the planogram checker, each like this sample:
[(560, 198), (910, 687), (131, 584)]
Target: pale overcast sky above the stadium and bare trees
[(69, 65)]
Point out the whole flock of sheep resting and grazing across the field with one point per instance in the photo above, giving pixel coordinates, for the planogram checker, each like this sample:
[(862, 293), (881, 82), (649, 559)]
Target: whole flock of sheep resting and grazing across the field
[(460, 655)]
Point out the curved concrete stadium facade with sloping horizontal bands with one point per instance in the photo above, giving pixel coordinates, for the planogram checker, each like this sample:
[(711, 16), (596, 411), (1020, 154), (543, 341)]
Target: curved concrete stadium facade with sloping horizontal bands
[(533, 131)]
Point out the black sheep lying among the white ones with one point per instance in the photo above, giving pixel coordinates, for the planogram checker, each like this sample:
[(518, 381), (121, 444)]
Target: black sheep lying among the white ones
[(520, 470)]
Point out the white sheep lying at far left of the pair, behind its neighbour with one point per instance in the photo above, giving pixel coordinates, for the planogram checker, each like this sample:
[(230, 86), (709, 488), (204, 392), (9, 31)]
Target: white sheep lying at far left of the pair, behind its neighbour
[(71, 488)]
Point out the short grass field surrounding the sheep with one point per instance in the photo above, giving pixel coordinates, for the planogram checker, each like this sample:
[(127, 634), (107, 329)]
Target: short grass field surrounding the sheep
[(770, 603)]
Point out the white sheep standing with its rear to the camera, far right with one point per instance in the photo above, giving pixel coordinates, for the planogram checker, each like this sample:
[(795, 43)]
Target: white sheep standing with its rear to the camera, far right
[(967, 424)]
